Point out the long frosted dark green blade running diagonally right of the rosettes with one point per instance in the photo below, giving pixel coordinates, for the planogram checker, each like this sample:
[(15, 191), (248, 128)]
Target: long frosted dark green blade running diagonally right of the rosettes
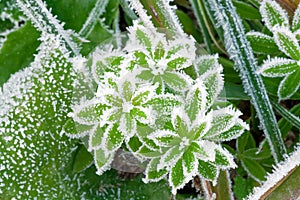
[(240, 51)]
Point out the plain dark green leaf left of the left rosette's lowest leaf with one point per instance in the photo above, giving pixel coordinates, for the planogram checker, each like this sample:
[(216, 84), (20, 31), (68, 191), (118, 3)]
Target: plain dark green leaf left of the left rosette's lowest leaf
[(83, 159)]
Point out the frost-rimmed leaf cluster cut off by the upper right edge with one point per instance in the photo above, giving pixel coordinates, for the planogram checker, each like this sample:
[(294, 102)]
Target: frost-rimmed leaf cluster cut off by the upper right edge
[(284, 39)]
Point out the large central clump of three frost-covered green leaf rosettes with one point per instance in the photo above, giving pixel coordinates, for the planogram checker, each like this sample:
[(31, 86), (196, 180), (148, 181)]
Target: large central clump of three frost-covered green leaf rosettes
[(146, 104)]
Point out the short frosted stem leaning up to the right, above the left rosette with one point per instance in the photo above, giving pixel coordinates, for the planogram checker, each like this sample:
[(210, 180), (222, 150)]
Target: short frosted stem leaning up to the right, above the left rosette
[(93, 17)]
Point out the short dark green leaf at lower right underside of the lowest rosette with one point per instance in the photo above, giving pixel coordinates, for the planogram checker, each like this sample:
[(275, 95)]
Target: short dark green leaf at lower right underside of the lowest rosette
[(207, 170)]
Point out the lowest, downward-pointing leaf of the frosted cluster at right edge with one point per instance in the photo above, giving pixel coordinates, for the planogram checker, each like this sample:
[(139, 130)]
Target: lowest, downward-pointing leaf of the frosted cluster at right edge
[(289, 85)]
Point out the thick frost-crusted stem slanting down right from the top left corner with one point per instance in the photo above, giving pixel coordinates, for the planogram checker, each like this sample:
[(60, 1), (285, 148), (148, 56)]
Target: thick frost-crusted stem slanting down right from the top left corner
[(44, 21)]
